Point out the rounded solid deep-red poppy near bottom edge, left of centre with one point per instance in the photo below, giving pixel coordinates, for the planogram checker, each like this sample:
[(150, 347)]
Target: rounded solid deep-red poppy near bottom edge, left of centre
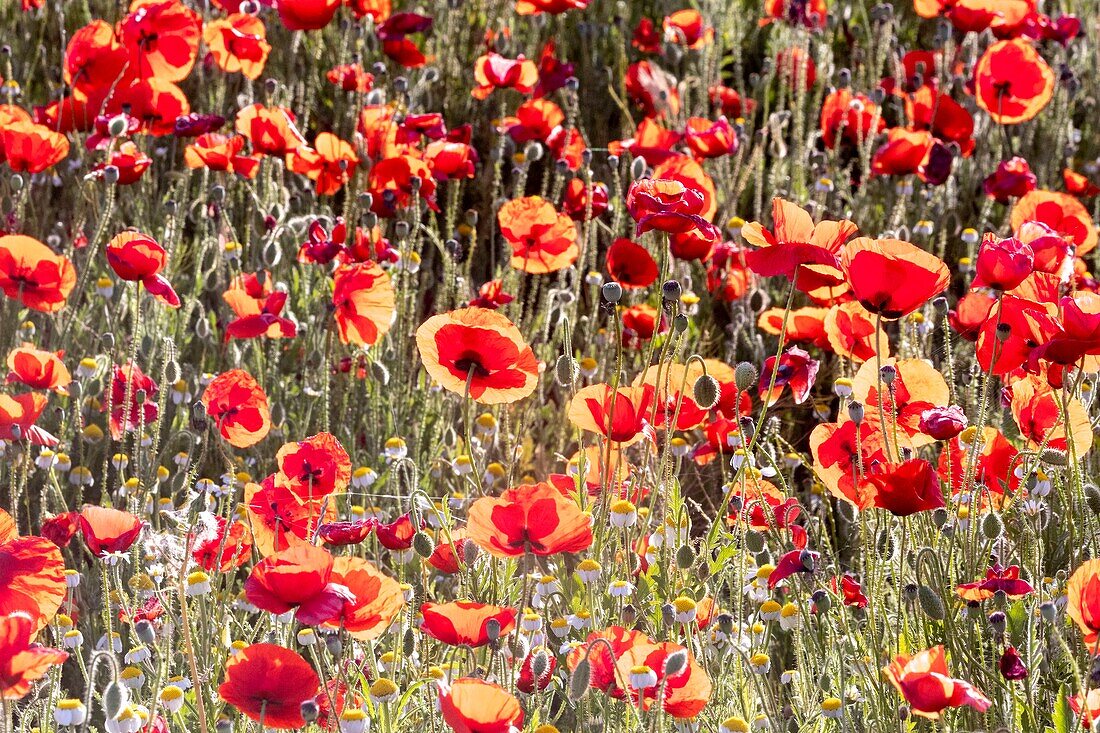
[(269, 684)]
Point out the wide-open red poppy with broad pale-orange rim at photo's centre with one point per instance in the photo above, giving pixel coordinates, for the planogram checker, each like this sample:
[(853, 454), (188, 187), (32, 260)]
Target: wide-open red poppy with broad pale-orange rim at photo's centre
[(480, 353)]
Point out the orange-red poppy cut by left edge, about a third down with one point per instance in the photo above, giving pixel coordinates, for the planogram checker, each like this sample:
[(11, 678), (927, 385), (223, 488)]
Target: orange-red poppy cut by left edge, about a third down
[(34, 275)]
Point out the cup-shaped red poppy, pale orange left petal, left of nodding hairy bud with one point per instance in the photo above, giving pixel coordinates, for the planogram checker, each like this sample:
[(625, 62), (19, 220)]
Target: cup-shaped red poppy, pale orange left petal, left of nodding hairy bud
[(621, 415)]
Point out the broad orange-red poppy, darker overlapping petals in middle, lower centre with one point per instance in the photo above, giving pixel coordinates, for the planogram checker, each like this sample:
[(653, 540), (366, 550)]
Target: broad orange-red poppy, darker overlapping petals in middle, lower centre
[(533, 518)]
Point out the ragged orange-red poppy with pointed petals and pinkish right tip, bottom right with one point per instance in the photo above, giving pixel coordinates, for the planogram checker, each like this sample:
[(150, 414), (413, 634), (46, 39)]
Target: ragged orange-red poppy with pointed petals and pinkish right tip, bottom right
[(928, 687)]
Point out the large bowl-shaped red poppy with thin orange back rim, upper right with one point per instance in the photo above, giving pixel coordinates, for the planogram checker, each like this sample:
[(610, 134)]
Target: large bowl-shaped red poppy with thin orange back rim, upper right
[(892, 278)]
